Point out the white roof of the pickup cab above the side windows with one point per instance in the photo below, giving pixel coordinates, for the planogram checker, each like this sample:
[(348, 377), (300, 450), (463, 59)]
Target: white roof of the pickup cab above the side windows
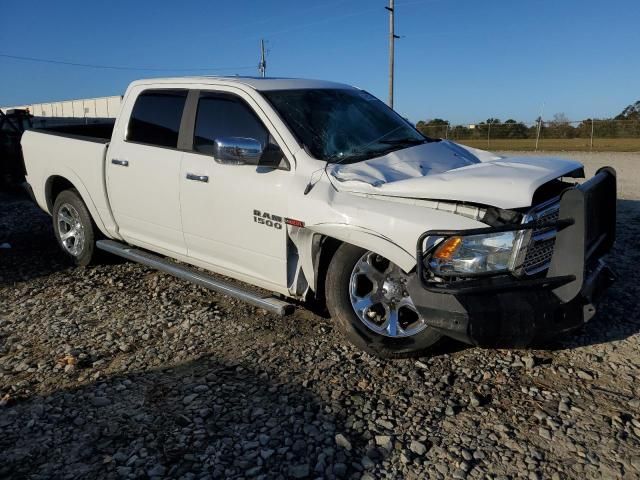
[(257, 83)]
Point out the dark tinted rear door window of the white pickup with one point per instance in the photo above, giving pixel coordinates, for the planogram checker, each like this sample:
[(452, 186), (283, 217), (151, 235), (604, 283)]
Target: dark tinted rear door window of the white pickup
[(156, 117)]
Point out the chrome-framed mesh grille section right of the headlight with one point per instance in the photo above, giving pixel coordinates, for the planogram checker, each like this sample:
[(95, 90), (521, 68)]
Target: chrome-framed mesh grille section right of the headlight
[(540, 249)]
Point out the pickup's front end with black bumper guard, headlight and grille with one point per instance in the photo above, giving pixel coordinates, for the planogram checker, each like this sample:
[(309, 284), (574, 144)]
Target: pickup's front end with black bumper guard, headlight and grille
[(554, 276)]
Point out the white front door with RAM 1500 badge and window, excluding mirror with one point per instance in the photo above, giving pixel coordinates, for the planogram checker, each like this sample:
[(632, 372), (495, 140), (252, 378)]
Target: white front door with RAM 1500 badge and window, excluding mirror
[(233, 215)]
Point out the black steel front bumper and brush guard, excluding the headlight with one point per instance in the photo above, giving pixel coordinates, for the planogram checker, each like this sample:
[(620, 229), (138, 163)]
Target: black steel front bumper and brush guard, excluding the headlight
[(514, 312)]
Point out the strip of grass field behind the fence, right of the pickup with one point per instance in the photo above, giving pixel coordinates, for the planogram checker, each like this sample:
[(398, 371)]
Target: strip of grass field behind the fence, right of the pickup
[(558, 144)]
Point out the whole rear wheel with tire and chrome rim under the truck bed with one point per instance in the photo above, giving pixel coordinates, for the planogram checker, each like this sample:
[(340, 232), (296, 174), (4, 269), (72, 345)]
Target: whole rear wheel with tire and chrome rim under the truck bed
[(74, 229)]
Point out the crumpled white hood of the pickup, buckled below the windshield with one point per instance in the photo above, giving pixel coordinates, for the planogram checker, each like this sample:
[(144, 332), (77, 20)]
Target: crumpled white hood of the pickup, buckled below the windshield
[(449, 171)]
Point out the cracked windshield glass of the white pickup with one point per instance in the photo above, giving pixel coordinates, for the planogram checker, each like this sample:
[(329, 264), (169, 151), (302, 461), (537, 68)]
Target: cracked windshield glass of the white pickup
[(343, 125)]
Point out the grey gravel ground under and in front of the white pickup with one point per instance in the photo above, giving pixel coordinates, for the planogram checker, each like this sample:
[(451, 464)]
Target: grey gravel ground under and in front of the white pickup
[(118, 371)]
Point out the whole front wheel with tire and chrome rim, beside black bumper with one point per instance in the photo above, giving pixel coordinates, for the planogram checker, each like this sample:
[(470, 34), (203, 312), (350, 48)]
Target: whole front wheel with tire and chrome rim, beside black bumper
[(382, 342)]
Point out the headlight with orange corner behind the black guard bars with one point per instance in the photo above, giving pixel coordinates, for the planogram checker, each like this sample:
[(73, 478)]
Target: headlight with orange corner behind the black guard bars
[(474, 254)]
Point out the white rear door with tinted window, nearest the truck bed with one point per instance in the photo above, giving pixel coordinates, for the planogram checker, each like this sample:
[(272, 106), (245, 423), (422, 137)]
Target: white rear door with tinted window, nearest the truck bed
[(143, 173)]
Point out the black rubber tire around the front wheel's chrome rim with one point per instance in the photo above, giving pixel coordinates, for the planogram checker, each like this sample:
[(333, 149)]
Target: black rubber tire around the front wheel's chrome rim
[(339, 305)]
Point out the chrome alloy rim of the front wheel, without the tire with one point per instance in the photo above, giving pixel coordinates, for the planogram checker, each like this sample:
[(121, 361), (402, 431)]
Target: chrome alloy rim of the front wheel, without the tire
[(379, 297)]
